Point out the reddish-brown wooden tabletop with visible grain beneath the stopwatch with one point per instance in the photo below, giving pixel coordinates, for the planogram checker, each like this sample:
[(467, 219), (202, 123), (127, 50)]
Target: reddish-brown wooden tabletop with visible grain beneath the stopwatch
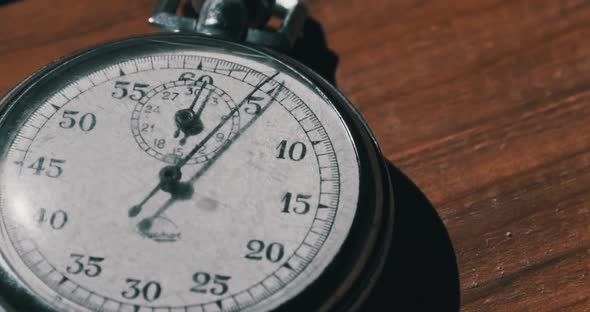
[(484, 104)]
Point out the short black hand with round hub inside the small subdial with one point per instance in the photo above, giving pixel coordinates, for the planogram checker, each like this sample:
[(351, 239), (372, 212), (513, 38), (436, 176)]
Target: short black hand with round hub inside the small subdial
[(188, 121)]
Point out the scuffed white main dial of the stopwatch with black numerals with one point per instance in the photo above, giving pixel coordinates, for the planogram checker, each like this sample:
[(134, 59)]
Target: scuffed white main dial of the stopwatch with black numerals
[(192, 180)]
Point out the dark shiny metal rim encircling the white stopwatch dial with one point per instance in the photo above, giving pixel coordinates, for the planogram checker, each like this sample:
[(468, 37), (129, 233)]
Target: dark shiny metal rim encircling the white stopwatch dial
[(346, 281)]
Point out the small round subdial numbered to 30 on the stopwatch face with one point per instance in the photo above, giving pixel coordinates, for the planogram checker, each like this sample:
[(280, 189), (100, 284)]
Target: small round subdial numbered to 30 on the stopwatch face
[(174, 117)]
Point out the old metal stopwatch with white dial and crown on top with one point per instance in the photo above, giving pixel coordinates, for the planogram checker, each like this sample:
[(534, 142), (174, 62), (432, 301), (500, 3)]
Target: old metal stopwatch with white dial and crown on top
[(192, 171)]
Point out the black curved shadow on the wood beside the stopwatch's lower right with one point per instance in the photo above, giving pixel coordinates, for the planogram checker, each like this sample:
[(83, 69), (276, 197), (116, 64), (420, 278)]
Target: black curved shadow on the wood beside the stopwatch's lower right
[(422, 273)]
